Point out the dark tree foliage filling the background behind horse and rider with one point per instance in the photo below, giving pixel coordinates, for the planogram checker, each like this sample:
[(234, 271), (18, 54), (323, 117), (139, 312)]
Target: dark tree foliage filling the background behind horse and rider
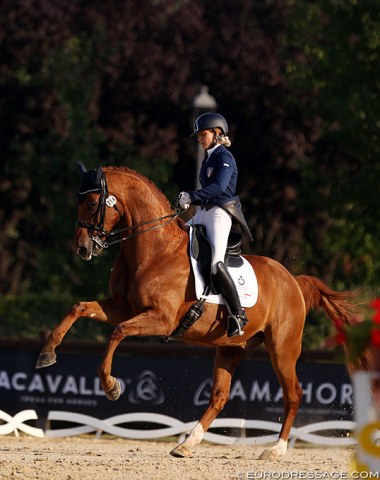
[(112, 83)]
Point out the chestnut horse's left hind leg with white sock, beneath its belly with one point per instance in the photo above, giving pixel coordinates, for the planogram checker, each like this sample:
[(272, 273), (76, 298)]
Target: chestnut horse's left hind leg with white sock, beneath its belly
[(226, 361)]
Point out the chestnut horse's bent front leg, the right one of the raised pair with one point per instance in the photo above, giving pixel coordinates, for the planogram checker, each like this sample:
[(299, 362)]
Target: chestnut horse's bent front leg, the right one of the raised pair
[(153, 322)]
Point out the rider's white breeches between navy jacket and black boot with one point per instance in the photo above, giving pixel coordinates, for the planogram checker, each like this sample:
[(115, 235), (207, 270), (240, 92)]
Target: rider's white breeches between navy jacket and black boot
[(218, 225)]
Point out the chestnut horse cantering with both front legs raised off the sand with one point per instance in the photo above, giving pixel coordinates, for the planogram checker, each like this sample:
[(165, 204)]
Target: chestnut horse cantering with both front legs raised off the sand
[(152, 288)]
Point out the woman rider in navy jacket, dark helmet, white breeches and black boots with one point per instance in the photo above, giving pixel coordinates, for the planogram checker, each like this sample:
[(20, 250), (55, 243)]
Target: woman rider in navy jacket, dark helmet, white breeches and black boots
[(217, 203)]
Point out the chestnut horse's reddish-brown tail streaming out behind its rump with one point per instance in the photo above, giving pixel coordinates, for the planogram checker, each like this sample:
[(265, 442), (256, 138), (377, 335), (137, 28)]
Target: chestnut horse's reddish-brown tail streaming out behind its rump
[(339, 307)]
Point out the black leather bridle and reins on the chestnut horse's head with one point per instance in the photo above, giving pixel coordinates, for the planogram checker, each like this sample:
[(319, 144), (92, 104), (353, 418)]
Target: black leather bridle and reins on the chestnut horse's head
[(97, 230)]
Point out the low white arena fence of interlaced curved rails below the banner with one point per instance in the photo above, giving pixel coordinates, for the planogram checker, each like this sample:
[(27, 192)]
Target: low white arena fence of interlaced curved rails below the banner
[(167, 426)]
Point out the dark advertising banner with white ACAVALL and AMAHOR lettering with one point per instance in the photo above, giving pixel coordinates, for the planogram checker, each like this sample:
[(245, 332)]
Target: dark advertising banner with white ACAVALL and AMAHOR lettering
[(179, 387)]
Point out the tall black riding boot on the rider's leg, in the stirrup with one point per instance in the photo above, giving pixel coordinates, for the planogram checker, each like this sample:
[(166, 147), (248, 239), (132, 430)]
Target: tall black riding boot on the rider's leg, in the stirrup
[(237, 318)]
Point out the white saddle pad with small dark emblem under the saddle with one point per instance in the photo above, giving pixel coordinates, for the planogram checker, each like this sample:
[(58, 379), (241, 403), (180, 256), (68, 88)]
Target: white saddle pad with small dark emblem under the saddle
[(244, 278)]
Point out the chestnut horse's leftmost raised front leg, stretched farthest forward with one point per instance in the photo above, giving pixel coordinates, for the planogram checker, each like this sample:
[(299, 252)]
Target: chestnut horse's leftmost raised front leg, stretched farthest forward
[(103, 311)]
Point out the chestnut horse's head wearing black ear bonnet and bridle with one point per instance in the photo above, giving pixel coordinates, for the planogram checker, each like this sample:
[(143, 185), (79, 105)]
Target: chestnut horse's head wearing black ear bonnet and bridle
[(98, 213)]
